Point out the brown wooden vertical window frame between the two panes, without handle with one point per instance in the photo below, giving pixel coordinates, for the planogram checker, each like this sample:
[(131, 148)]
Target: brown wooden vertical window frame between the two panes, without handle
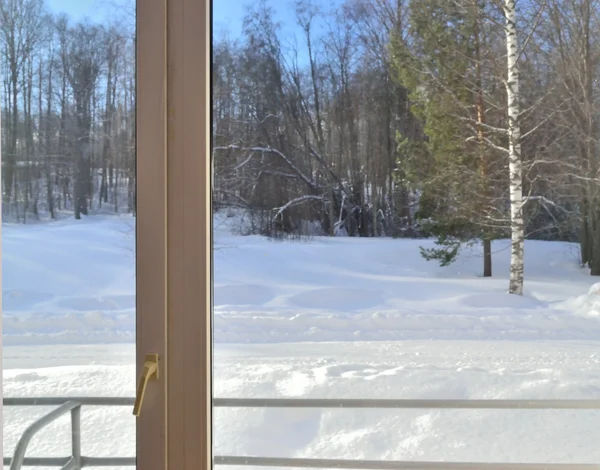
[(174, 235)]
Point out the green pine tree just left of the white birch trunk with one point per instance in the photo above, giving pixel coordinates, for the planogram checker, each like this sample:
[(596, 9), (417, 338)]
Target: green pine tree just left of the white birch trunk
[(452, 167)]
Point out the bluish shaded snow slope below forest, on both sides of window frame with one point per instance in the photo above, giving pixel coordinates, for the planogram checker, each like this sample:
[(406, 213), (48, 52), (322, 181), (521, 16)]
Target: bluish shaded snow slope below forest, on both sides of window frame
[(75, 283)]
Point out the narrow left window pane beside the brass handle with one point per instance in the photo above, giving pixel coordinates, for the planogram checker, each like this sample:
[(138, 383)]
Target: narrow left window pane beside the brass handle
[(68, 223)]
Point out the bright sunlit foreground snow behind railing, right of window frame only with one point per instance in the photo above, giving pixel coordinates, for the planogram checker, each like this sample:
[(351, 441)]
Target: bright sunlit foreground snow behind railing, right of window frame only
[(414, 369)]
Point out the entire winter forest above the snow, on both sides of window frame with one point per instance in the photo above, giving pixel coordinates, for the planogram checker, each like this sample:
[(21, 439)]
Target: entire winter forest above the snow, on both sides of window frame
[(463, 120)]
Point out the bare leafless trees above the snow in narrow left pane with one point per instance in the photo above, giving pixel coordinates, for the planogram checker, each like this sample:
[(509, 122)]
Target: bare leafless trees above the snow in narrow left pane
[(68, 113)]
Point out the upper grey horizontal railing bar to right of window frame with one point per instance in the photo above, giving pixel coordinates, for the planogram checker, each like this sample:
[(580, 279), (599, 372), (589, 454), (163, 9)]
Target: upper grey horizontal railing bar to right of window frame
[(405, 404)]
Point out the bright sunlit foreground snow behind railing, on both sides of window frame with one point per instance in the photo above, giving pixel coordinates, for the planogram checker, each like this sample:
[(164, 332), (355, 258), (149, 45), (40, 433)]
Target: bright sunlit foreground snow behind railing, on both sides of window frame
[(412, 369)]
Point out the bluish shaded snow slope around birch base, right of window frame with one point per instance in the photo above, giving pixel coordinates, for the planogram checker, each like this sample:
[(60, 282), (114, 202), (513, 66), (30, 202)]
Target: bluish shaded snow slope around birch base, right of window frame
[(349, 289)]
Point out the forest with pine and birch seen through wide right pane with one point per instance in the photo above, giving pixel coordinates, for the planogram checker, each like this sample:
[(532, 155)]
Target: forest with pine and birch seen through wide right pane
[(415, 117)]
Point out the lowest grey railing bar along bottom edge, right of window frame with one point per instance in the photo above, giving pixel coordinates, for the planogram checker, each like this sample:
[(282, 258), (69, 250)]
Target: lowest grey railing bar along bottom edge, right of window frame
[(390, 465)]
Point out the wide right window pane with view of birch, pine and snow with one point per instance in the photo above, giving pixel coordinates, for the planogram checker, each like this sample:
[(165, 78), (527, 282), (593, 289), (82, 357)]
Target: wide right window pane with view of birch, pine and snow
[(405, 207)]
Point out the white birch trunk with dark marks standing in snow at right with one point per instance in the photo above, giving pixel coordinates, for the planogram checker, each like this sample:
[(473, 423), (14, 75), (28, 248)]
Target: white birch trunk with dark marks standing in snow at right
[(514, 158)]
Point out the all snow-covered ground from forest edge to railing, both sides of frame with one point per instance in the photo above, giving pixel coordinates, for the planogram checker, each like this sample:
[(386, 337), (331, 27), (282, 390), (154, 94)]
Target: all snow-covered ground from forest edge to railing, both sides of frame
[(348, 318)]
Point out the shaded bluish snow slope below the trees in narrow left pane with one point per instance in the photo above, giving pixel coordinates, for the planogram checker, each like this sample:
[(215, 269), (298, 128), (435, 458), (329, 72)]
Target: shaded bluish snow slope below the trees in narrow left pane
[(69, 281)]
